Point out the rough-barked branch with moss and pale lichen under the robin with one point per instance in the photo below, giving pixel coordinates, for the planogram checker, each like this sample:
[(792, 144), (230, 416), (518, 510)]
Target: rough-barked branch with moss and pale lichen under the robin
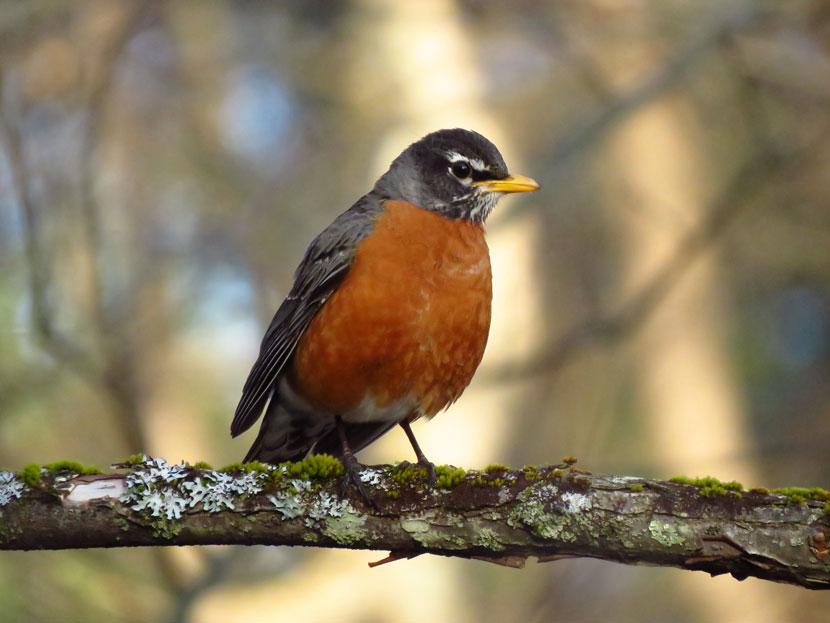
[(497, 514)]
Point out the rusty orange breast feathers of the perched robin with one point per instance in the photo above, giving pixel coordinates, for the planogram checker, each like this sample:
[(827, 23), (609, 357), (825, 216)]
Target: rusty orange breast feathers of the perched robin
[(410, 319)]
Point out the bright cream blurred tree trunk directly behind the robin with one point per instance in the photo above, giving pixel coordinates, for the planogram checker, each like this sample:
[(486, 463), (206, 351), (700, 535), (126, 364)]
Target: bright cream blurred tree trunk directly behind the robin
[(414, 68)]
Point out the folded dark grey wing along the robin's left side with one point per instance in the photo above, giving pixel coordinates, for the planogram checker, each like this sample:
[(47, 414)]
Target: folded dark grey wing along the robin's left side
[(326, 263)]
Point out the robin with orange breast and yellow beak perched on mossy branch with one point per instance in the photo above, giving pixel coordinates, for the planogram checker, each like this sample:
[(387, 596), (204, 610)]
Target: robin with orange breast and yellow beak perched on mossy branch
[(389, 313)]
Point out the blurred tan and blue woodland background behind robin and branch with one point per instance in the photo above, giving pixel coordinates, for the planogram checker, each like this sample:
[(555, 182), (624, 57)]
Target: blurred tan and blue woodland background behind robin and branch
[(662, 306)]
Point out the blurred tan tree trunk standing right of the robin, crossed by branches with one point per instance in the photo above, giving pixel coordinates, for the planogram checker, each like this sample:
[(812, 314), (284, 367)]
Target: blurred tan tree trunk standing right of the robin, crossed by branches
[(695, 409)]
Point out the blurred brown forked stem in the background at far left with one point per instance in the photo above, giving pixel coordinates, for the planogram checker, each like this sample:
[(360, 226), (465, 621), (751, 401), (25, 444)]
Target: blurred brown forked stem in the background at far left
[(110, 368)]
